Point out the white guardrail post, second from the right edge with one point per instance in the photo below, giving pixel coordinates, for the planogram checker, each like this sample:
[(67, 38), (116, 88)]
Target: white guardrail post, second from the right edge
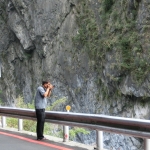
[(99, 140)]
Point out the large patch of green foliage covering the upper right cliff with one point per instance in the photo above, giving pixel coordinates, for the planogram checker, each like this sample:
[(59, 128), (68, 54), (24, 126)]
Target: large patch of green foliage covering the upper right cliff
[(116, 31)]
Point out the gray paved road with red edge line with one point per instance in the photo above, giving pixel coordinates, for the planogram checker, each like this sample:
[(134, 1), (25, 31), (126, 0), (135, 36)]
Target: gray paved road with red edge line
[(18, 141)]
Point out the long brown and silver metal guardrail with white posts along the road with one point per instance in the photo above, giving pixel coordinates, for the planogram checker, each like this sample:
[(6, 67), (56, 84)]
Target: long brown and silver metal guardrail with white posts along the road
[(128, 126)]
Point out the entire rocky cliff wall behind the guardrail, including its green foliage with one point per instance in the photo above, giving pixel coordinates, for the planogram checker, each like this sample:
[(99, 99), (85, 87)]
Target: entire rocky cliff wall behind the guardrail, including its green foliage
[(95, 52)]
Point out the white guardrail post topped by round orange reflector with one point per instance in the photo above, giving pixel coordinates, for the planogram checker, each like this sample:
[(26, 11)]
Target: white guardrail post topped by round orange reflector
[(66, 128)]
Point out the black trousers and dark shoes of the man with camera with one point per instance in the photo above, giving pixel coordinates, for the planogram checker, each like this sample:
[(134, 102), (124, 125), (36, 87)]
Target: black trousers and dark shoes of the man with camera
[(40, 115)]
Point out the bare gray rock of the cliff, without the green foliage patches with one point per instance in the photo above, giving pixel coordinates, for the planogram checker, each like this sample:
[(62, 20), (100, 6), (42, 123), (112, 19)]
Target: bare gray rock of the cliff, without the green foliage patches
[(36, 44)]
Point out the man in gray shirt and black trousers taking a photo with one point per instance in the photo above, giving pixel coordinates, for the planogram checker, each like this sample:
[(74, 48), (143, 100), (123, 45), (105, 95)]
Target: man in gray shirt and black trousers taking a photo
[(42, 93)]
